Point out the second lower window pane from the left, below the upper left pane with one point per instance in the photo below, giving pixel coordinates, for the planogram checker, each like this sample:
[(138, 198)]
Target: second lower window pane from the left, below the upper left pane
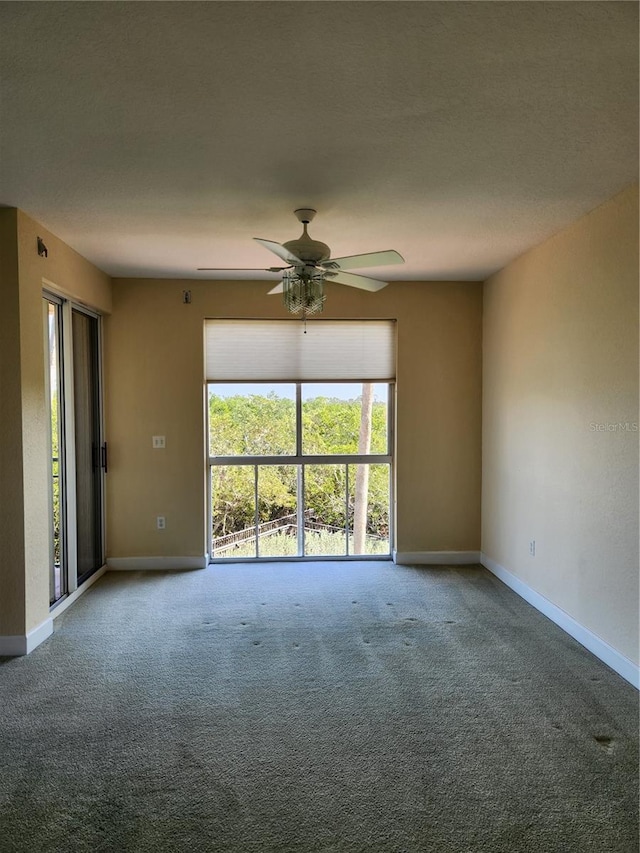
[(277, 510)]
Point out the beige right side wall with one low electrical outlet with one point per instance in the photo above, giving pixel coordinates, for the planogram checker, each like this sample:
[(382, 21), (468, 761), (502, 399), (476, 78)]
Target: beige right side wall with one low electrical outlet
[(561, 358)]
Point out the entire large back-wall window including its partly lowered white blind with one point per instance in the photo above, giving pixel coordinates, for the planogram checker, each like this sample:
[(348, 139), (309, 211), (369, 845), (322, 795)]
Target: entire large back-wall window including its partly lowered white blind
[(300, 438)]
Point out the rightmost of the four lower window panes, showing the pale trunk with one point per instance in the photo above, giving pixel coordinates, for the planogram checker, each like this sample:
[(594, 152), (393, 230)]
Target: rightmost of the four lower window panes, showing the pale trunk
[(369, 509)]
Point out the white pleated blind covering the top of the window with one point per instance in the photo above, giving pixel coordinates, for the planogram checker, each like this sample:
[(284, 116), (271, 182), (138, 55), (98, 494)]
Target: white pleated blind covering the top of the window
[(279, 350)]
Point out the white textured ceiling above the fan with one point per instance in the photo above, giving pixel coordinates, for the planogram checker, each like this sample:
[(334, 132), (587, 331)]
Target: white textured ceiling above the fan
[(158, 137)]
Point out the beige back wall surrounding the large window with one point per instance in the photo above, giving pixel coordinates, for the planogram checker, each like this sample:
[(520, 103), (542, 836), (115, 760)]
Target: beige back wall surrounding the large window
[(154, 378)]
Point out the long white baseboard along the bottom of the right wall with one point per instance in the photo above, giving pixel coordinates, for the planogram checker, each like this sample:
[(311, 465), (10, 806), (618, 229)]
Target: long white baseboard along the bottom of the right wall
[(607, 654)]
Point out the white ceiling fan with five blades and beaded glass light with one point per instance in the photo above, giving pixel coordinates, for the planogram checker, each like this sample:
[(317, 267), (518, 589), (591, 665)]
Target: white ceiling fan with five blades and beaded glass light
[(309, 265)]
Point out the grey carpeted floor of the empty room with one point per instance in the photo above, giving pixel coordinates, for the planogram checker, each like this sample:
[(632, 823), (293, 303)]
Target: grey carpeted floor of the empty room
[(314, 707)]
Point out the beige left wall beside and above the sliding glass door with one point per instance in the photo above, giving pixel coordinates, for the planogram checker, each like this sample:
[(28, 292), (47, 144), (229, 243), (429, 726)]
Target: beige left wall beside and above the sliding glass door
[(24, 555)]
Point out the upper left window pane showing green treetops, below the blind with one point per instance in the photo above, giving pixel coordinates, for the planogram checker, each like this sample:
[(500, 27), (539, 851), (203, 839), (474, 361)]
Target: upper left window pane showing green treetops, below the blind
[(252, 420)]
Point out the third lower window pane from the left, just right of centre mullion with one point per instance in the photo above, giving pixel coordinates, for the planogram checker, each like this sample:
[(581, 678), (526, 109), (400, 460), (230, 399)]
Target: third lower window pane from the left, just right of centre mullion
[(325, 510)]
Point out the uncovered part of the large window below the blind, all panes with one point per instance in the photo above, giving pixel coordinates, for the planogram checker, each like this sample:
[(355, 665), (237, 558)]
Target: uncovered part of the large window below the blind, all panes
[(300, 470)]
